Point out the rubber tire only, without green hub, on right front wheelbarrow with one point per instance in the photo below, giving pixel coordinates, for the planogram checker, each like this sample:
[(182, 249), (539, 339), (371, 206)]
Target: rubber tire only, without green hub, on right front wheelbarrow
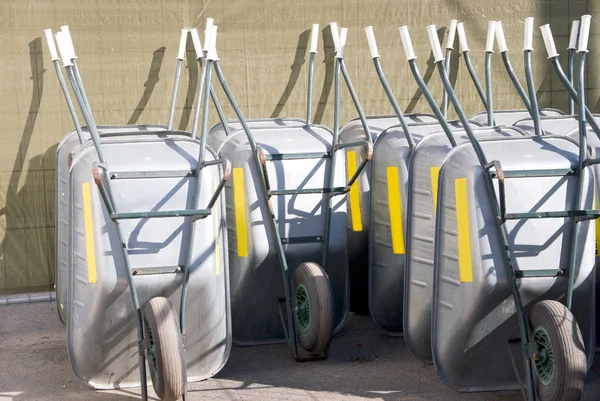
[(570, 363)]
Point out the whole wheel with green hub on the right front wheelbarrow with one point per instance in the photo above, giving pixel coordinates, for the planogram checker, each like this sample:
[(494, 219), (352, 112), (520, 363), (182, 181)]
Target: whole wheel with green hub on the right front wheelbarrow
[(558, 353)]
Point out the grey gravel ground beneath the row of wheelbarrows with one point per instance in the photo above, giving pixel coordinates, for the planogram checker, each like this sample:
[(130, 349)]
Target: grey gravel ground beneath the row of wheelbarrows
[(365, 364)]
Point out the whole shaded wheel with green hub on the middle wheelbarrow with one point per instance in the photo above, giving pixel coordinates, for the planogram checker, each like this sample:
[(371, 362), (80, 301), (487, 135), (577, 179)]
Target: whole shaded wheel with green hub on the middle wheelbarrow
[(313, 304)]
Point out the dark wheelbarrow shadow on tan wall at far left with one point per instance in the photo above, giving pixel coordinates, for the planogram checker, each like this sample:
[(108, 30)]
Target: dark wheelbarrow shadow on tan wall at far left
[(28, 247)]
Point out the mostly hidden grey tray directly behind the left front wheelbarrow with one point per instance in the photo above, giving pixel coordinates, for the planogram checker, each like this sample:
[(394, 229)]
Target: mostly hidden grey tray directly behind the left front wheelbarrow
[(65, 152)]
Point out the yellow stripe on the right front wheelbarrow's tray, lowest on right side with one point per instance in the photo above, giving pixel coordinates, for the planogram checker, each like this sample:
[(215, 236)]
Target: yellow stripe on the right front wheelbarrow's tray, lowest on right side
[(464, 230)]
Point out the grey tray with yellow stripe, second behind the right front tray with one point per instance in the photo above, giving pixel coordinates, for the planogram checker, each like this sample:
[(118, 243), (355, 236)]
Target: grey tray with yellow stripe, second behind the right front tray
[(387, 221)]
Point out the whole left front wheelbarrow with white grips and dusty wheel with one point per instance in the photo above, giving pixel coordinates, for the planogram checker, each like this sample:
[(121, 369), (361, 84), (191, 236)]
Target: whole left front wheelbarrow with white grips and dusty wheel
[(158, 178)]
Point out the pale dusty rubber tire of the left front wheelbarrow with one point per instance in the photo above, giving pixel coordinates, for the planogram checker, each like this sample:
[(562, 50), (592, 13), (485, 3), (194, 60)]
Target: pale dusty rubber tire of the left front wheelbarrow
[(168, 380)]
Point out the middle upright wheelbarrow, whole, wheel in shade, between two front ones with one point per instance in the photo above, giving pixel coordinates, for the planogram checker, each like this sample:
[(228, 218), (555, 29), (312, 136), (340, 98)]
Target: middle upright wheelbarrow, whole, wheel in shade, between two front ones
[(288, 210)]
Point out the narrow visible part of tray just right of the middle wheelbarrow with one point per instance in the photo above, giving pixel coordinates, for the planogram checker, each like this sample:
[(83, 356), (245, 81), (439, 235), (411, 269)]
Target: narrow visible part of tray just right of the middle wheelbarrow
[(358, 197)]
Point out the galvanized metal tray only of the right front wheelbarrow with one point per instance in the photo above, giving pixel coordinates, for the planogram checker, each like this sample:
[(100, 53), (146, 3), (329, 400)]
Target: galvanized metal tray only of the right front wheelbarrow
[(475, 327)]
